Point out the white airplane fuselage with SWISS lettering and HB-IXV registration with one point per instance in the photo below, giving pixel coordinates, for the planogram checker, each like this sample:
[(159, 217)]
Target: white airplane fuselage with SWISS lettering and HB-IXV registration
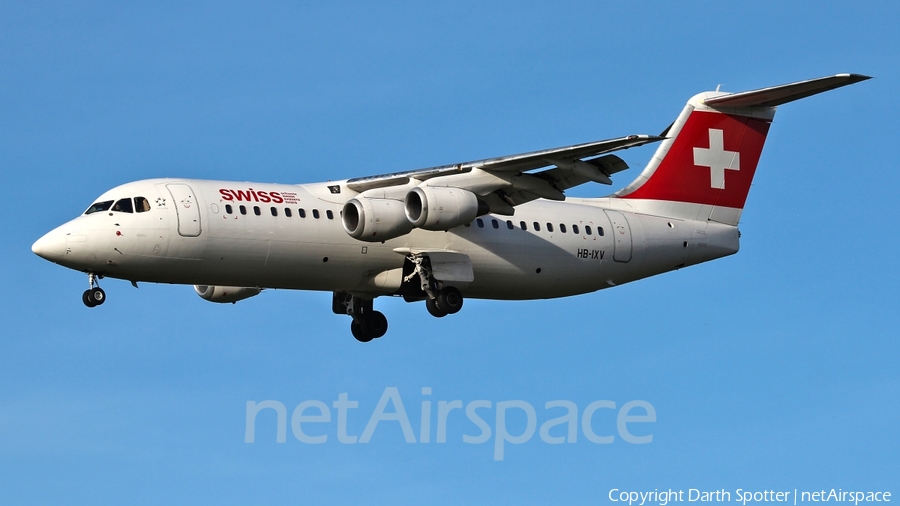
[(196, 241)]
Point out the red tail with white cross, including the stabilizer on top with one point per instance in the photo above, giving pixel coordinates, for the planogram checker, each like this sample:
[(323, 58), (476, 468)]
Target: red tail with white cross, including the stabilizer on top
[(703, 170)]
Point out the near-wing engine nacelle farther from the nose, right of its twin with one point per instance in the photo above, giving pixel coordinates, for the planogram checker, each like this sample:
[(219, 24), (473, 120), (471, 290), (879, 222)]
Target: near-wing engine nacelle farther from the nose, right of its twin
[(439, 208)]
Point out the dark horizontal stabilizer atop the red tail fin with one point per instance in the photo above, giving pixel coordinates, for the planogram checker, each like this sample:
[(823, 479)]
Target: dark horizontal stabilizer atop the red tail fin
[(777, 95)]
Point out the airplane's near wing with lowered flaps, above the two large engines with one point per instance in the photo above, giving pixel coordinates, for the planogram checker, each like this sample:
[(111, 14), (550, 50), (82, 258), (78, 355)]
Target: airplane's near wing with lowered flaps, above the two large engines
[(505, 182)]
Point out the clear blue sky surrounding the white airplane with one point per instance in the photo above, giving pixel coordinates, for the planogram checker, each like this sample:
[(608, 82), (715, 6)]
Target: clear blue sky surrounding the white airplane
[(772, 369)]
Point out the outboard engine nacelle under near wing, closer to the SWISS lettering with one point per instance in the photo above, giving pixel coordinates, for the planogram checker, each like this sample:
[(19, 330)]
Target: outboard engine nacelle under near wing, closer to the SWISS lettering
[(374, 220)]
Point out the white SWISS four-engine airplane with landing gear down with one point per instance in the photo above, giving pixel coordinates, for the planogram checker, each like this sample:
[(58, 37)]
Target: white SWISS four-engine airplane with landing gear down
[(500, 228)]
